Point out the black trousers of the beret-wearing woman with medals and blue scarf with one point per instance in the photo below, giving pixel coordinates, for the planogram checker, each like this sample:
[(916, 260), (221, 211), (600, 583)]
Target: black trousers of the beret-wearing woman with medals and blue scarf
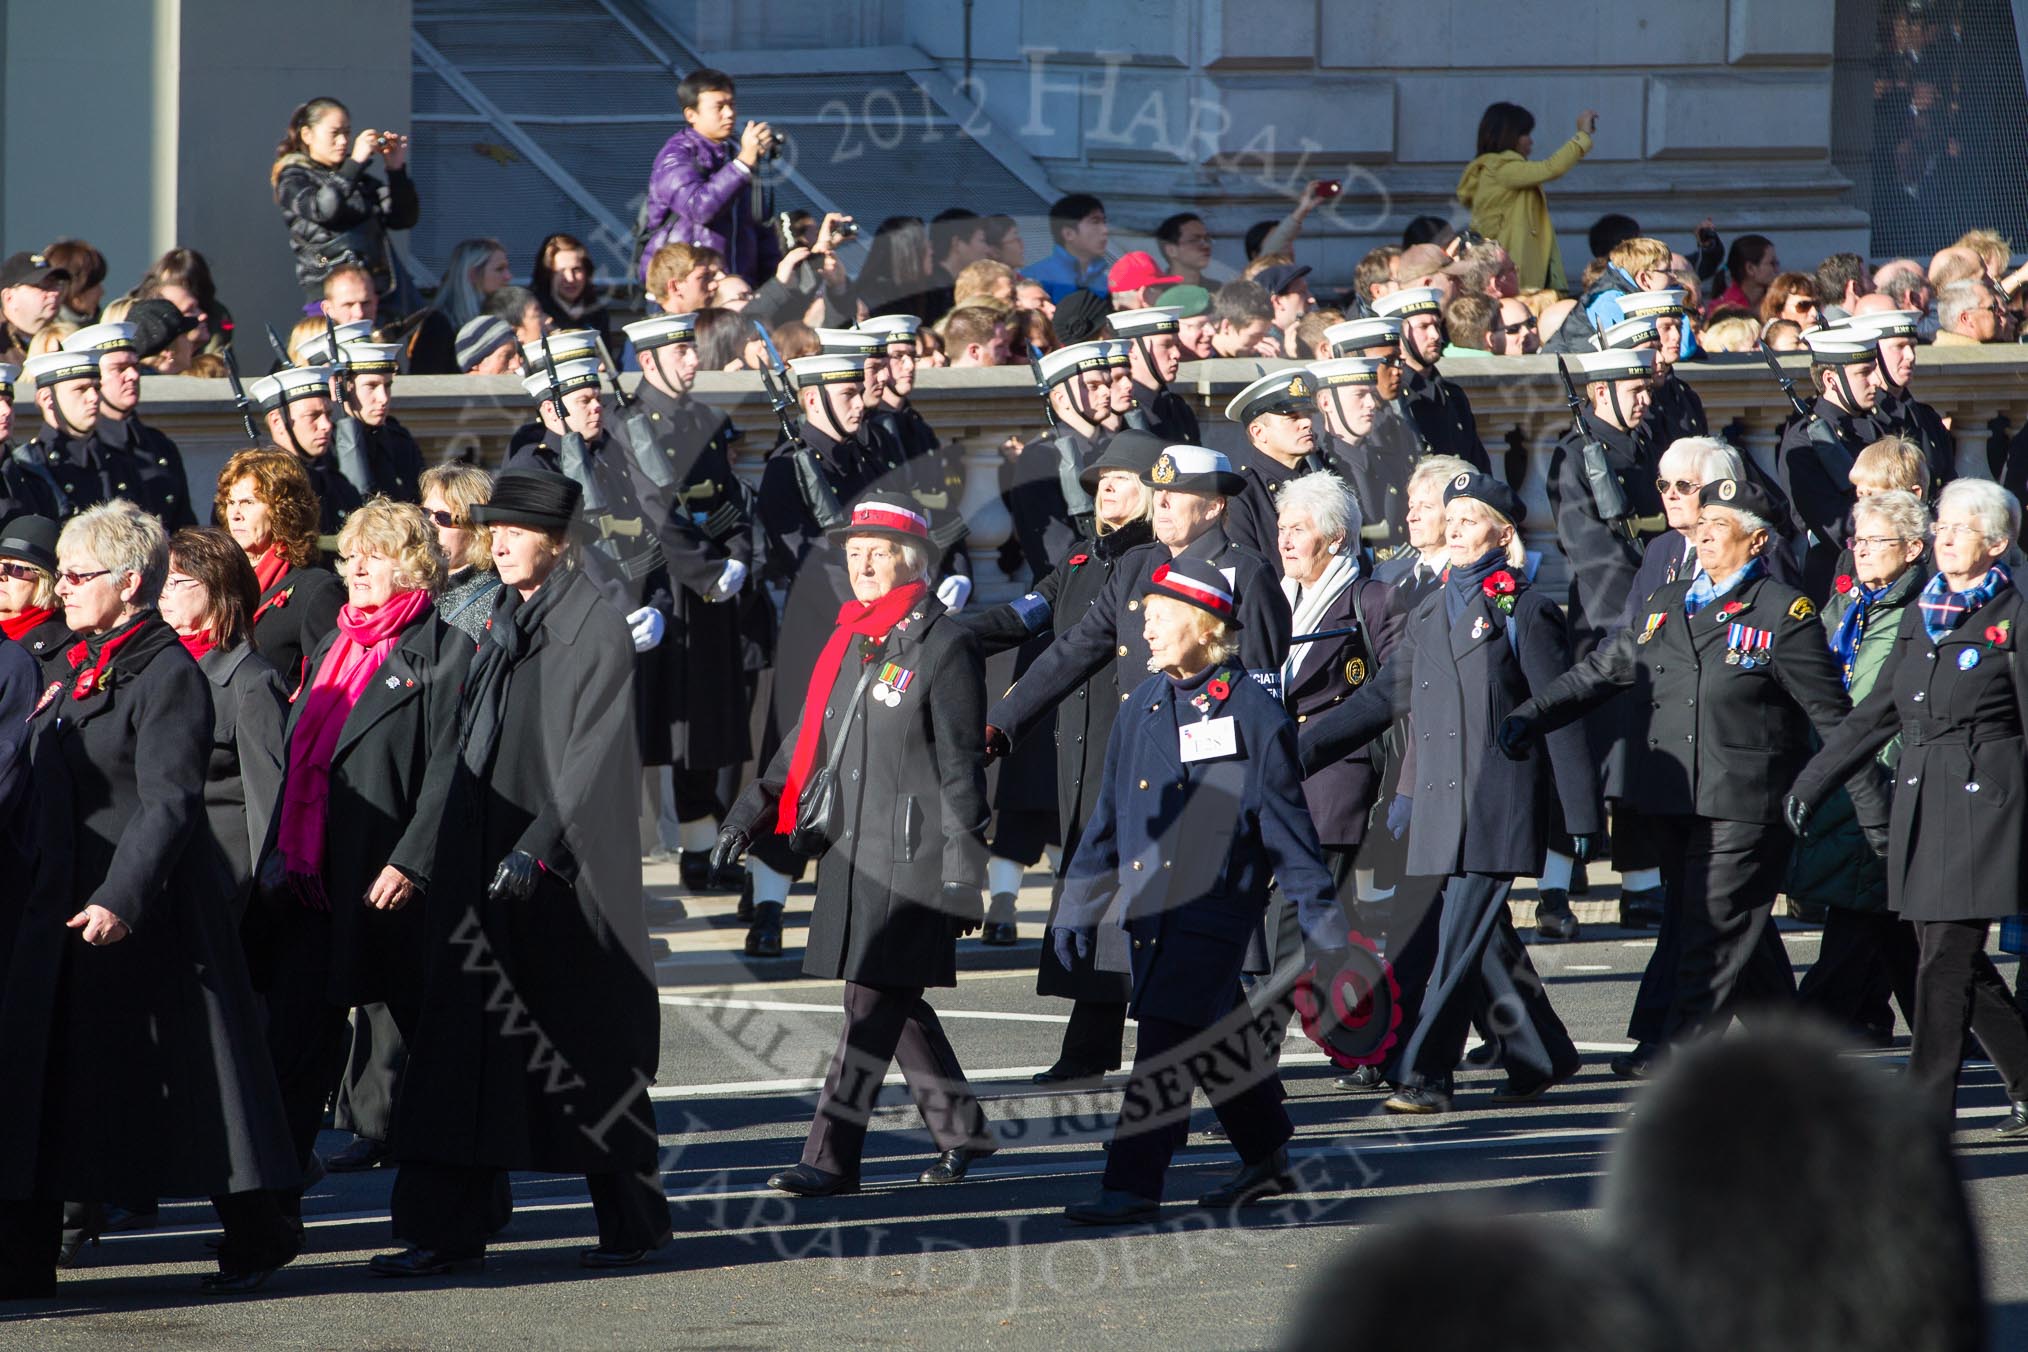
[(1717, 952)]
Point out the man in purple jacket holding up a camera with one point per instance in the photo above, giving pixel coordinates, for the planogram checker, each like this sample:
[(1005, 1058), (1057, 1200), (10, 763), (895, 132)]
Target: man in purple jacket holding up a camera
[(705, 185)]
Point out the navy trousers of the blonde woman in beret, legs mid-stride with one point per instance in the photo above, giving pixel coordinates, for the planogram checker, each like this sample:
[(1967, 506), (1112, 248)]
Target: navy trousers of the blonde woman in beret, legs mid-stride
[(1481, 966)]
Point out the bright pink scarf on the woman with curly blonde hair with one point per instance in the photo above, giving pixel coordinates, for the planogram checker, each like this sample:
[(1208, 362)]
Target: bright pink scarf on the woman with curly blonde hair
[(362, 646)]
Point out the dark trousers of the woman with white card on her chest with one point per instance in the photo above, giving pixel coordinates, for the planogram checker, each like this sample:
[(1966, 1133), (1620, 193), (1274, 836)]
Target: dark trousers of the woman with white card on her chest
[(1171, 1061)]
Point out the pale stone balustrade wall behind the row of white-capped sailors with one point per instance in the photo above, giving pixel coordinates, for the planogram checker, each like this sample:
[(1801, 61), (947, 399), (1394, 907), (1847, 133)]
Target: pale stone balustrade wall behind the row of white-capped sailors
[(1518, 402)]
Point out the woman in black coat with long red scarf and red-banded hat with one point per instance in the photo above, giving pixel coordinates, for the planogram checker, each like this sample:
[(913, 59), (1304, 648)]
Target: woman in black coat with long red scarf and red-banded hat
[(891, 729)]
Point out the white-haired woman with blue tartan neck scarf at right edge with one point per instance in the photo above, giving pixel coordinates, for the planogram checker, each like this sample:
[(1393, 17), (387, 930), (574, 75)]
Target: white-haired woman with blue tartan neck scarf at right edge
[(1958, 844)]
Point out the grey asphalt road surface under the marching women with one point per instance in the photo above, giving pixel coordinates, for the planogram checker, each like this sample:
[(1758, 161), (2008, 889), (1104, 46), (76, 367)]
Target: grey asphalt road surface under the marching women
[(906, 1266)]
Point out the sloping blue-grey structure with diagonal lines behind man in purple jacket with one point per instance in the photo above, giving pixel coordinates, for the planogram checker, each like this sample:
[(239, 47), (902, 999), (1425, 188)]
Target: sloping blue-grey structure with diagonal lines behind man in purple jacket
[(536, 119)]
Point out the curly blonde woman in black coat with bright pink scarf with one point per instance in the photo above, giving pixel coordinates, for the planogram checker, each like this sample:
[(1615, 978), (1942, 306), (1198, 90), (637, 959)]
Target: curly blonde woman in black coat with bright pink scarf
[(372, 745)]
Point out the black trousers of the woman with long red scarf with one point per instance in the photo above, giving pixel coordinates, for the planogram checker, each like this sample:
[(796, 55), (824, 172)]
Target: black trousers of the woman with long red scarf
[(891, 1027)]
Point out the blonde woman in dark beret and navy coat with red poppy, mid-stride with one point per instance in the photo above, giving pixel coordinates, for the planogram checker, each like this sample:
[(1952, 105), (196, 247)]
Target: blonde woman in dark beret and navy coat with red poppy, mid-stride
[(1475, 652)]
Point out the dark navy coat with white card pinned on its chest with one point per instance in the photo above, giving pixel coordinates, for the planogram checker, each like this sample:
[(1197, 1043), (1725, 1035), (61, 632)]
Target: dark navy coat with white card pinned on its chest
[(1196, 846)]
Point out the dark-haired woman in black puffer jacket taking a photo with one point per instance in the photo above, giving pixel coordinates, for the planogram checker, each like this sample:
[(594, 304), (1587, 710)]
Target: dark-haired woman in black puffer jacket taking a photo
[(336, 210)]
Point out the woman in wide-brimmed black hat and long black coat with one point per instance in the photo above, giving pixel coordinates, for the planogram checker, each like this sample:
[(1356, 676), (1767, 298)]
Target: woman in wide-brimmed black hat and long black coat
[(540, 1031)]
